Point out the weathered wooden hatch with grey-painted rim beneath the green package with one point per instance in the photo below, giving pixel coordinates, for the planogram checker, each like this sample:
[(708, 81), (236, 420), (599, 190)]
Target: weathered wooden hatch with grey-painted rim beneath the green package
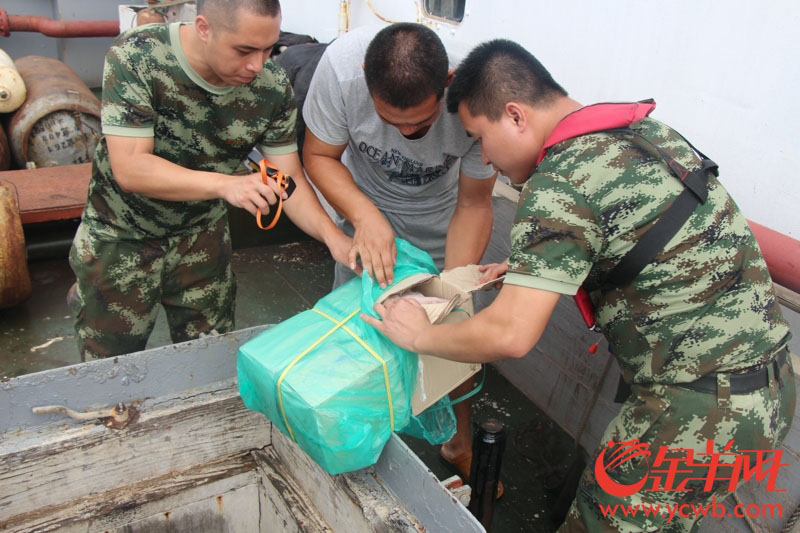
[(195, 459)]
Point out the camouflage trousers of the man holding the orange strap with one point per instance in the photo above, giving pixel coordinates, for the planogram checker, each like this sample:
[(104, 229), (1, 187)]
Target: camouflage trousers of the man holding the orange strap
[(121, 283)]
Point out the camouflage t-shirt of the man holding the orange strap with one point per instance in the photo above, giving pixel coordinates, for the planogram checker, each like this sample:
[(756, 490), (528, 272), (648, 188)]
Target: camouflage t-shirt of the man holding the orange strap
[(150, 90)]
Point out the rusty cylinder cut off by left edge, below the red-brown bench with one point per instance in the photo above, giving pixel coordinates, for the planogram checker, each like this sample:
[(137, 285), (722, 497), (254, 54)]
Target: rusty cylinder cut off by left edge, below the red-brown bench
[(15, 282)]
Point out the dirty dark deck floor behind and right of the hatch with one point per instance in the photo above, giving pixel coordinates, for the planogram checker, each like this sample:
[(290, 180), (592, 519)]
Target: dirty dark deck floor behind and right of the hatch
[(280, 281)]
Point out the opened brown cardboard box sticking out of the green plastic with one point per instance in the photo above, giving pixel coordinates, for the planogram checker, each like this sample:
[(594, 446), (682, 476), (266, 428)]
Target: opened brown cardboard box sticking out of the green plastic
[(437, 376)]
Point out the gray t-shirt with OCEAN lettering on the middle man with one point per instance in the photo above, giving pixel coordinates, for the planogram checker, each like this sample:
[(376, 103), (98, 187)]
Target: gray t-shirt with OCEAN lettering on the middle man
[(404, 177)]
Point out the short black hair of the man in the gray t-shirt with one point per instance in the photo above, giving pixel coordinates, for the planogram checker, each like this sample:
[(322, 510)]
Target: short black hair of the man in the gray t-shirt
[(405, 64)]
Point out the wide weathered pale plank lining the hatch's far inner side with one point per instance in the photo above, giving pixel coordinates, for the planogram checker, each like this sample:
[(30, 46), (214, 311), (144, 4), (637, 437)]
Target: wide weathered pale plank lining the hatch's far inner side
[(169, 437)]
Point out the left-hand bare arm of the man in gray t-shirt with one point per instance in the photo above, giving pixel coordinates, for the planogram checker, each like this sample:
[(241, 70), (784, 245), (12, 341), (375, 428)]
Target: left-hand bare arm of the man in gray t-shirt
[(373, 239)]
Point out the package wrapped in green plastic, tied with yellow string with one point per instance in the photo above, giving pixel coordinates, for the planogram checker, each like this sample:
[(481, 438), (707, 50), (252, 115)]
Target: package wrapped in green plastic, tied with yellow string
[(334, 384)]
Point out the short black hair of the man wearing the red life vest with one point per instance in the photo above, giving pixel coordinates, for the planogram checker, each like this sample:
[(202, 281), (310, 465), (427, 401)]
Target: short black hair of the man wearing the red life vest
[(497, 72)]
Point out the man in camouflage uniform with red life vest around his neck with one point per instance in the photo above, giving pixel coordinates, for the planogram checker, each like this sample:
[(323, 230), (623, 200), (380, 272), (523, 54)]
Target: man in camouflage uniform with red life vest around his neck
[(698, 333)]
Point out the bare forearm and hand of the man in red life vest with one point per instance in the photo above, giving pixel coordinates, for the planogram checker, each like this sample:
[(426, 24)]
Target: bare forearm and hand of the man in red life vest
[(508, 328)]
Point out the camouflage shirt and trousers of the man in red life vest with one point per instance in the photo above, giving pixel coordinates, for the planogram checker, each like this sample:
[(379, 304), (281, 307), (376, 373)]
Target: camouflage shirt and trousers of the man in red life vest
[(704, 304)]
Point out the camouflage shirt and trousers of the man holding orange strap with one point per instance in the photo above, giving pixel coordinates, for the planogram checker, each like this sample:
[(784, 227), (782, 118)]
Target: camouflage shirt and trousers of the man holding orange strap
[(132, 252)]
